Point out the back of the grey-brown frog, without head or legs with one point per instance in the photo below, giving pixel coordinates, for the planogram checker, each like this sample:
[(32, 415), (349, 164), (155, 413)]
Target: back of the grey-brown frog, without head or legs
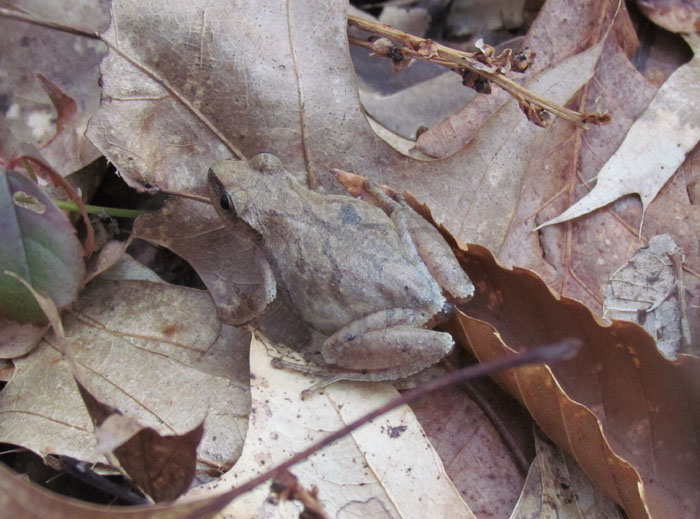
[(341, 258)]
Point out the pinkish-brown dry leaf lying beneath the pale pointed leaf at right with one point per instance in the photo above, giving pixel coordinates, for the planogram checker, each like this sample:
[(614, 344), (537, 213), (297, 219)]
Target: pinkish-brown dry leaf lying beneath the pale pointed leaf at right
[(577, 259)]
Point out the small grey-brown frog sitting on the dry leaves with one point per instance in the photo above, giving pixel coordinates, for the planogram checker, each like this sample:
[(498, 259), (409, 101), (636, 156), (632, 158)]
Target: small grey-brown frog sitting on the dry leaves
[(365, 277)]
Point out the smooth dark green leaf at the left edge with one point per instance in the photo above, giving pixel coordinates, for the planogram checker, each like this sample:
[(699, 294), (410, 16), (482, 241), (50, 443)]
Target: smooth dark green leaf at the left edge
[(40, 246)]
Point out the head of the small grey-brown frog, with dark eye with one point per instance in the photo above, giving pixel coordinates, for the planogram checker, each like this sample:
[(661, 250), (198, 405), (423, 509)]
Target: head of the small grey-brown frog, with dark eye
[(239, 188)]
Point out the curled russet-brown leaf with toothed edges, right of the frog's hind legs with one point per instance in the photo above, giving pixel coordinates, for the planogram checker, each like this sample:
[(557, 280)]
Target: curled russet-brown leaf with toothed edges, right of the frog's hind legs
[(624, 412)]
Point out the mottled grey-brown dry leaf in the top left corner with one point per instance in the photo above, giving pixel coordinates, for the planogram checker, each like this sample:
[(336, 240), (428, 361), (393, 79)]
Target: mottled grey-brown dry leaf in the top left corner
[(68, 61)]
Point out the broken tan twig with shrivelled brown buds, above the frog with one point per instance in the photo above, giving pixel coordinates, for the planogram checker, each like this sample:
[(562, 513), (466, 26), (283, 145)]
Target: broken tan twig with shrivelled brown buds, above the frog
[(482, 64)]
